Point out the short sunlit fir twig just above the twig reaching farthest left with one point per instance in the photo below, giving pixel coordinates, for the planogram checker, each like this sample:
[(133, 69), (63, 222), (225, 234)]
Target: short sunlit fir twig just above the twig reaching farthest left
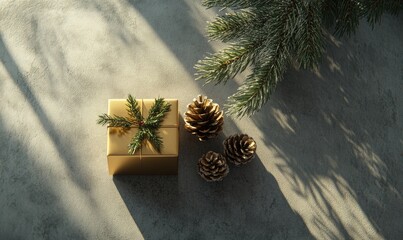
[(231, 26)]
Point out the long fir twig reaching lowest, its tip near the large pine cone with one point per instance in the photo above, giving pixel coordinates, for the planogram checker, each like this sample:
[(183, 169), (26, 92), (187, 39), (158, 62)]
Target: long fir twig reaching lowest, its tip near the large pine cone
[(258, 87)]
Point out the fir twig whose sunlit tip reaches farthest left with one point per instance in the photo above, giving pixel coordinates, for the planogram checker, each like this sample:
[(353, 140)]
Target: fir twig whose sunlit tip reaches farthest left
[(227, 63)]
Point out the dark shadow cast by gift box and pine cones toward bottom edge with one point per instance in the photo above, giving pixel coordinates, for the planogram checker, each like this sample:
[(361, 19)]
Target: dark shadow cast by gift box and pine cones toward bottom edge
[(246, 204)]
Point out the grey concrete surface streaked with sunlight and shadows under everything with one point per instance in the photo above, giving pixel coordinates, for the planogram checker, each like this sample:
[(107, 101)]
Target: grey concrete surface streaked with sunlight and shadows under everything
[(330, 146)]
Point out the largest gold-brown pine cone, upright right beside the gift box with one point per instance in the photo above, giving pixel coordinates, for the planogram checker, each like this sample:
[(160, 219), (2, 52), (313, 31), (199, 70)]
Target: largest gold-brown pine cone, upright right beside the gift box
[(204, 118)]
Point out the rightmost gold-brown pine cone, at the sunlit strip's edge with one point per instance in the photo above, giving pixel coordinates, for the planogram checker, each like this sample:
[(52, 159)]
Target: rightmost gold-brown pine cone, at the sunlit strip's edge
[(239, 148)]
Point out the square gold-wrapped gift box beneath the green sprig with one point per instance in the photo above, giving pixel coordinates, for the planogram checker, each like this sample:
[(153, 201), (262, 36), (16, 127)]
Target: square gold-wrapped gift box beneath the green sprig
[(146, 160)]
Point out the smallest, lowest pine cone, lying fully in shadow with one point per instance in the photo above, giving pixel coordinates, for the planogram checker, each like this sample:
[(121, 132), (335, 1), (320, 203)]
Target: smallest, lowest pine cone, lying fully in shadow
[(213, 166)]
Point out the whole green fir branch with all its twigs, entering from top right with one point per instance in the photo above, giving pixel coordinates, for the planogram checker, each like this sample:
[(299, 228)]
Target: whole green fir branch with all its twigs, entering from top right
[(265, 34)]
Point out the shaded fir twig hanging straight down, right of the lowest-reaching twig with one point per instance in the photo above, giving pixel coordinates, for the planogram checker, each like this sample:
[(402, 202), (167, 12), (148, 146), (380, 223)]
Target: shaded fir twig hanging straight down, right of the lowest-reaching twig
[(309, 36)]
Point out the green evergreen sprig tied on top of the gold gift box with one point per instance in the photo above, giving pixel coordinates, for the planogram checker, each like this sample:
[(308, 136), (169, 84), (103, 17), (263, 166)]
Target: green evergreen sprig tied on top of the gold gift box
[(148, 129)]
